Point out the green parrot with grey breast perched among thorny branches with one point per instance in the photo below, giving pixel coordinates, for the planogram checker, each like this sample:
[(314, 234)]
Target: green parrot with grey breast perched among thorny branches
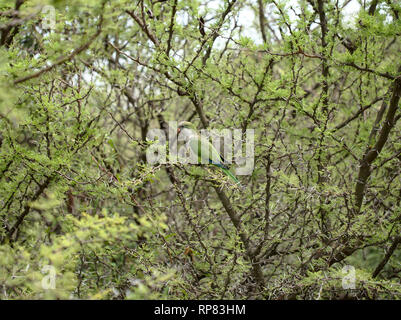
[(199, 145)]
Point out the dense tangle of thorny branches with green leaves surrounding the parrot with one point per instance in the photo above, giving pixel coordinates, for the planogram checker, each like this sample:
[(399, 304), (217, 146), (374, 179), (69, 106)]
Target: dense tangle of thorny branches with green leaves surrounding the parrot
[(78, 197)]
